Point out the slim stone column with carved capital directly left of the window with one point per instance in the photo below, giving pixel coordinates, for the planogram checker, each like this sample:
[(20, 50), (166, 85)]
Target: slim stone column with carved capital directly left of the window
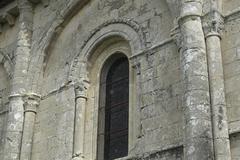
[(80, 107)]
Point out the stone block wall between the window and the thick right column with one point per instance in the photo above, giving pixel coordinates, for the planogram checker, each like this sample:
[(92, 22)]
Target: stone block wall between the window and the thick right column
[(161, 100)]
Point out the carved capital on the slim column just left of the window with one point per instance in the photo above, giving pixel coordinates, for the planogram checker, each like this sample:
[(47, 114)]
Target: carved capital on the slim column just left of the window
[(81, 89)]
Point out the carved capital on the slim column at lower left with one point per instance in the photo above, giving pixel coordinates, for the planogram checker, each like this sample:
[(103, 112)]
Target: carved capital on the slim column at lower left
[(31, 102)]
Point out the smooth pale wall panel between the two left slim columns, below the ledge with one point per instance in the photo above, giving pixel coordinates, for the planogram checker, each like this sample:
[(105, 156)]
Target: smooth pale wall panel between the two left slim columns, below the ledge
[(53, 137)]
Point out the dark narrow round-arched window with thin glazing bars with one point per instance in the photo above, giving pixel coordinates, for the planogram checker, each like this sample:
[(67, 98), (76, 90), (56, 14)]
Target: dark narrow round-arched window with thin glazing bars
[(115, 87)]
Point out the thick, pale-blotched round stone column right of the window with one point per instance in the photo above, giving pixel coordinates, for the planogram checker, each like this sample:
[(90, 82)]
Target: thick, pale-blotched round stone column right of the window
[(198, 143)]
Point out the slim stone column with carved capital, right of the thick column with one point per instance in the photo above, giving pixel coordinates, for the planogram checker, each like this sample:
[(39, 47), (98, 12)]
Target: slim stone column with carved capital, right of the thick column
[(213, 25)]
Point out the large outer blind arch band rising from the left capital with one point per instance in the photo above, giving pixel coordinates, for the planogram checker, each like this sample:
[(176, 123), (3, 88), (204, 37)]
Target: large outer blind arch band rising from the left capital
[(39, 49)]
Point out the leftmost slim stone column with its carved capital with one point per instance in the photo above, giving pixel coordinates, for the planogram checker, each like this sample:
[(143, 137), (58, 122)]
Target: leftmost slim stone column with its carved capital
[(31, 103)]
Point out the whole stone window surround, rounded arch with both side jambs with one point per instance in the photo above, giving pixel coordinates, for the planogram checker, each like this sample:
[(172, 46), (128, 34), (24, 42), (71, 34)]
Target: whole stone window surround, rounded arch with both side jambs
[(114, 36)]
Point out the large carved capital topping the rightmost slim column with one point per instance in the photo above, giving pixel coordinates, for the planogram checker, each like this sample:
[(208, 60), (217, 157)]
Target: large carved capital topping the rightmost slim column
[(213, 24)]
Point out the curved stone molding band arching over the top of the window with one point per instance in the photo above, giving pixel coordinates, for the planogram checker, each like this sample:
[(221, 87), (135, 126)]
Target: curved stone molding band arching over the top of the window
[(127, 29)]
